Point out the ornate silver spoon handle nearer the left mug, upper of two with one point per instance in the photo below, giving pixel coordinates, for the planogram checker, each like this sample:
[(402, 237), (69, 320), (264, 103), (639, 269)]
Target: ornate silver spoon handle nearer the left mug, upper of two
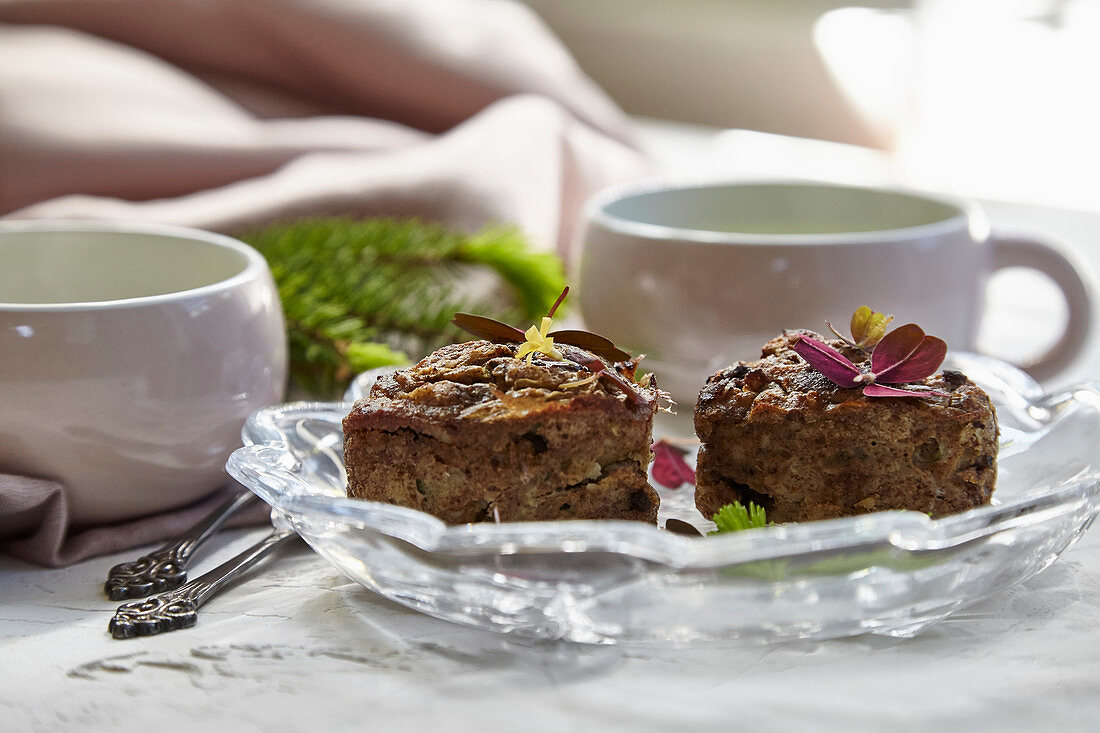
[(167, 568)]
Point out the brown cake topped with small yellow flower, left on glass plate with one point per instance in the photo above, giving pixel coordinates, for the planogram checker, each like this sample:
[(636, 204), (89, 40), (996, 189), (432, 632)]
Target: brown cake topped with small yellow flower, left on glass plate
[(472, 434)]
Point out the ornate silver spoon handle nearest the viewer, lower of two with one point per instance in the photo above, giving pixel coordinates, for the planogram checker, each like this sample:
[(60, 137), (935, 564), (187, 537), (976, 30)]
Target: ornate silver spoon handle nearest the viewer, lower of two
[(179, 609)]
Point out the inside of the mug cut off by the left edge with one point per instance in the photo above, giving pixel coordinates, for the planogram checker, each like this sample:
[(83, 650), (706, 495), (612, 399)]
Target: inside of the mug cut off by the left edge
[(87, 266)]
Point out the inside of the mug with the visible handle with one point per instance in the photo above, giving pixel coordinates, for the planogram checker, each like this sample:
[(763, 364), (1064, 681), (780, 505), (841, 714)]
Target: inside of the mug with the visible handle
[(780, 209)]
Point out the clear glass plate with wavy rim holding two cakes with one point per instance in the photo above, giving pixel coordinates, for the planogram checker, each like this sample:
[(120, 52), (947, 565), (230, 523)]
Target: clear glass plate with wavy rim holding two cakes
[(889, 573)]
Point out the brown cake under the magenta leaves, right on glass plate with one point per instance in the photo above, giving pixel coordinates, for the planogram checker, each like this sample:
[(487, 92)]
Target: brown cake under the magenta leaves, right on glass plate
[(778, 433)]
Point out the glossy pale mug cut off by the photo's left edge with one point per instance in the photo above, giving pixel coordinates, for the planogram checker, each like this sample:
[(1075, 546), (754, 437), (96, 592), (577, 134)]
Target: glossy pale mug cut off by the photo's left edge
[(130, 358)]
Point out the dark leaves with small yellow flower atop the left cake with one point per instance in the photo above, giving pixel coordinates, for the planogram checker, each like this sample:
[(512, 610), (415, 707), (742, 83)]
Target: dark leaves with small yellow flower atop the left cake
[(542, 341)]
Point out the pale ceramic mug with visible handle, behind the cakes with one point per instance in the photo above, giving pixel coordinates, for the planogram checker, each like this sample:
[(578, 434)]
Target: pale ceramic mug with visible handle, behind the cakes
[(699, 277)]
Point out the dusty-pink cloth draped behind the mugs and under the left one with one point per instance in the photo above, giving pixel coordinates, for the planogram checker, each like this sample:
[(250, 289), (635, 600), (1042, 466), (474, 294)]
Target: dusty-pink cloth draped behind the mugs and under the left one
[(227, 114)]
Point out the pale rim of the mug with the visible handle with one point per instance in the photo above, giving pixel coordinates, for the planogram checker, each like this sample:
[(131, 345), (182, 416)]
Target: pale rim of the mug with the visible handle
[(967, 216)]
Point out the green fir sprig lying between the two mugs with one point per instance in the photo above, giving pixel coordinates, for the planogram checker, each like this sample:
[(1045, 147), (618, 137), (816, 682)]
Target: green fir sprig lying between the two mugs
[(359, 294)]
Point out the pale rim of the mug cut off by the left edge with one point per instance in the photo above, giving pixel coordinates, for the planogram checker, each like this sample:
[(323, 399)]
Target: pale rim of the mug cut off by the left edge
[(256, 264)]
